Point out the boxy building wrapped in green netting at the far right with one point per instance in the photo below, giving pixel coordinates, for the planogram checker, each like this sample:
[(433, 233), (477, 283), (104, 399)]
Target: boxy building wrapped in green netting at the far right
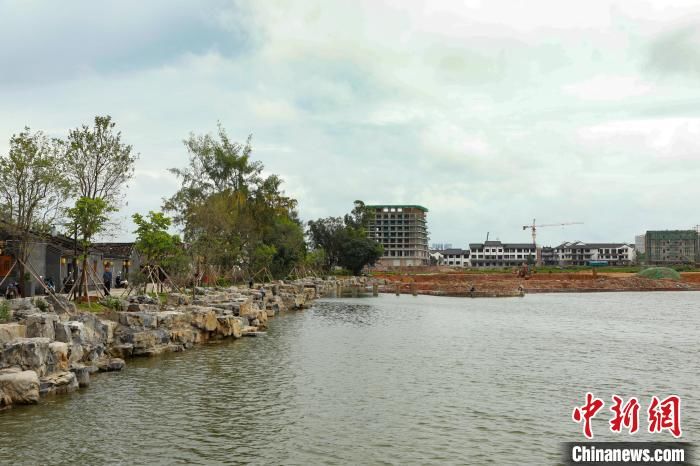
[(672, 247)]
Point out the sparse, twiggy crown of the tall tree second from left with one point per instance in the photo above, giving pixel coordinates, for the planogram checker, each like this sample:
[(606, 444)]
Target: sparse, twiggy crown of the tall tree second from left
[(97, 162)]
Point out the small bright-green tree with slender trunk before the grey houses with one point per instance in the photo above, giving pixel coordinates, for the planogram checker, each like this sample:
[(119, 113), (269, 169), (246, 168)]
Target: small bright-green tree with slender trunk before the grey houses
[(88, 218)]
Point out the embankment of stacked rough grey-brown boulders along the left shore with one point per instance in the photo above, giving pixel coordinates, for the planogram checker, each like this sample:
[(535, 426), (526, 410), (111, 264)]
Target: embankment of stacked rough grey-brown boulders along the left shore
[(51, 348)]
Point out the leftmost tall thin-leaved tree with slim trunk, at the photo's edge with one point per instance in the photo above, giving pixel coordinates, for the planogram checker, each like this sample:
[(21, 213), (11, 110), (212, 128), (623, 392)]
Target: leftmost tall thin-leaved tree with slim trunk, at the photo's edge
[(32, 188)]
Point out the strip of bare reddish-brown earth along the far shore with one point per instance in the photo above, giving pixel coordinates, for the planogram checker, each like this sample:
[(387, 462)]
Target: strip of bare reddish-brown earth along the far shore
[(460, 284)]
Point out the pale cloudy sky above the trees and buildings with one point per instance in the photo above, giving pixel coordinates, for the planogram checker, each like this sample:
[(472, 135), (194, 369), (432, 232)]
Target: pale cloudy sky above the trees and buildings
[(488, 113)]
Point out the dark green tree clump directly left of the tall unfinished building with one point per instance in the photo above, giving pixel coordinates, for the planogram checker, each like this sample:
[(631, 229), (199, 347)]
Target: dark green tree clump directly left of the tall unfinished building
[(344, 241)]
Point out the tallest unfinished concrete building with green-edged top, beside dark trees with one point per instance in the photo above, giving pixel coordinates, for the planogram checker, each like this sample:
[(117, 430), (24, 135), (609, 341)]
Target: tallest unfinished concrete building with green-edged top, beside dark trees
[(403, 231)]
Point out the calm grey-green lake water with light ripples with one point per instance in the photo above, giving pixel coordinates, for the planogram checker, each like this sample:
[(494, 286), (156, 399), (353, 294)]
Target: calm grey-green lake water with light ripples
[(382, 381)]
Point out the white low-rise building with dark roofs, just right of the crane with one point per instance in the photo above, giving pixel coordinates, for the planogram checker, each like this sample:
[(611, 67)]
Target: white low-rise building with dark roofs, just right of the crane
[(580, 253)]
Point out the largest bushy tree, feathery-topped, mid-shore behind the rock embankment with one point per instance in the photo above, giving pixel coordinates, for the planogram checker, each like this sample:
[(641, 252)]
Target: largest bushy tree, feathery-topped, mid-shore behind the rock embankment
[(230, 213)]
